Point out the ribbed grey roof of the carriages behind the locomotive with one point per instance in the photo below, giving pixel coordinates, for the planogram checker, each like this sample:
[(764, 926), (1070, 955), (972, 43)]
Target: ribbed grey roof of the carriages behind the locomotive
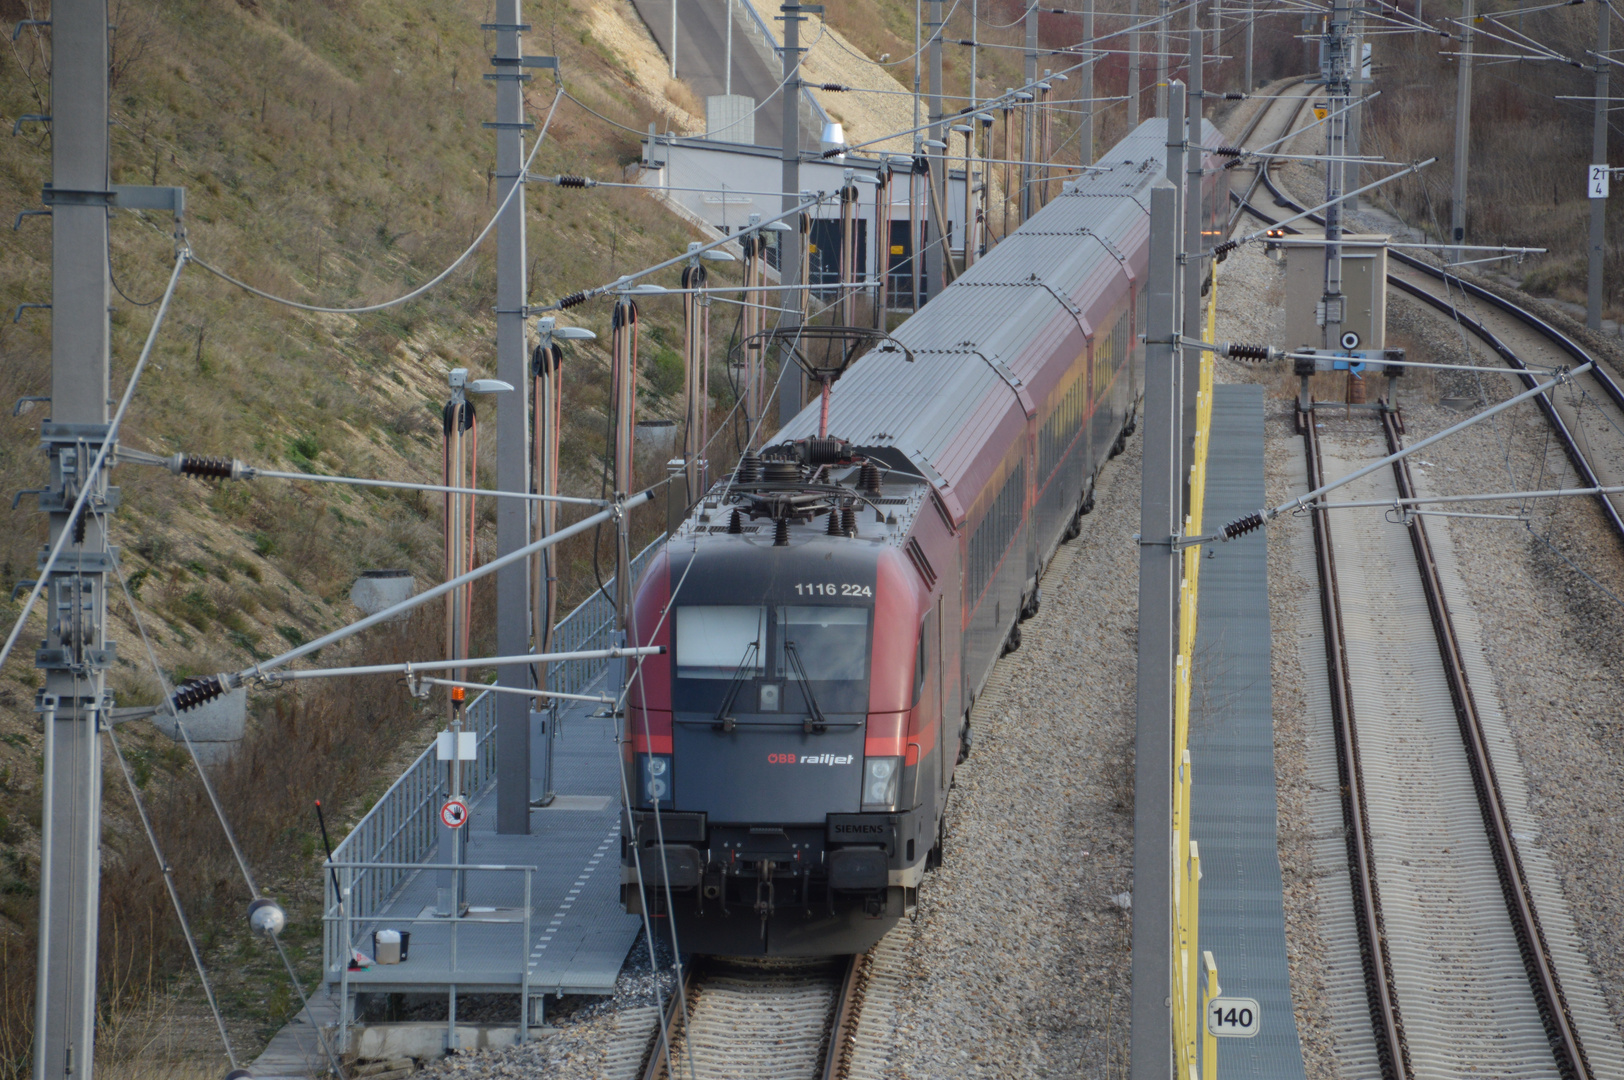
[(980, 343)]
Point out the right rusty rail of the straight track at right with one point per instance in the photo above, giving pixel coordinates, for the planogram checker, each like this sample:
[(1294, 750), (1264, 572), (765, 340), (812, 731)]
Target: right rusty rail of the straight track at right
[(1560, 1029)]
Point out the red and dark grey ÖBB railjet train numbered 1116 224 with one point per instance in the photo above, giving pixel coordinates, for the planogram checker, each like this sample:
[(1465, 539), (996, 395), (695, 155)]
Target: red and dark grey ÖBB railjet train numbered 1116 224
[(842, 602)]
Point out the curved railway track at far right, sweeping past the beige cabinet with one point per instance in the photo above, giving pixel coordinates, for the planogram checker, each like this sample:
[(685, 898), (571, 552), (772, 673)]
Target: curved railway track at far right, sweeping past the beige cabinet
[(1503, 330)]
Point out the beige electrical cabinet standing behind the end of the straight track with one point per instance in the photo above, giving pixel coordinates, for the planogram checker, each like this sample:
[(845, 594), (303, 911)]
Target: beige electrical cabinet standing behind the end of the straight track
[(1363, 290)]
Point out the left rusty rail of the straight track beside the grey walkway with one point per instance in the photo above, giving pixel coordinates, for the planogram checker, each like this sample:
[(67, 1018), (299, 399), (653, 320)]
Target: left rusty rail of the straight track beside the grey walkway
[(1381, 988)]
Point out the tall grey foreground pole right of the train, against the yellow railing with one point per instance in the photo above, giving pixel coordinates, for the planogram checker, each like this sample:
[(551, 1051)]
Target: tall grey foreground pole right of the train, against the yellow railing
[(1151, 1024)]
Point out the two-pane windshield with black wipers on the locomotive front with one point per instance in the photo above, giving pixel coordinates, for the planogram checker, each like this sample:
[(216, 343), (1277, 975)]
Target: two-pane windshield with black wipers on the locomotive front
[(769, 647)]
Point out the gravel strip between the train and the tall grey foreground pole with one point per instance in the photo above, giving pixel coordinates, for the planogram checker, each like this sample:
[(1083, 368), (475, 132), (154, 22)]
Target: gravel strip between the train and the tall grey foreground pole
[(1021, 956)]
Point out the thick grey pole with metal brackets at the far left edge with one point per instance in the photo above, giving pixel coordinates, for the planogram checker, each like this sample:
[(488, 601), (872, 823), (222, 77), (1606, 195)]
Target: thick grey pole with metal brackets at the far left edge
[(72, 657)]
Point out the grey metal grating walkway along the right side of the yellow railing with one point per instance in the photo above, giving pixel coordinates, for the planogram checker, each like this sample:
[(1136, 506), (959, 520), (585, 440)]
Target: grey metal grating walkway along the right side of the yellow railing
[(1233, 753)]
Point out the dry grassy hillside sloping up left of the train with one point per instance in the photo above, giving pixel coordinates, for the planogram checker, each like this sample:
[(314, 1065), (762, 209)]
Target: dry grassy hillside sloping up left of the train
[(332, 153)]
